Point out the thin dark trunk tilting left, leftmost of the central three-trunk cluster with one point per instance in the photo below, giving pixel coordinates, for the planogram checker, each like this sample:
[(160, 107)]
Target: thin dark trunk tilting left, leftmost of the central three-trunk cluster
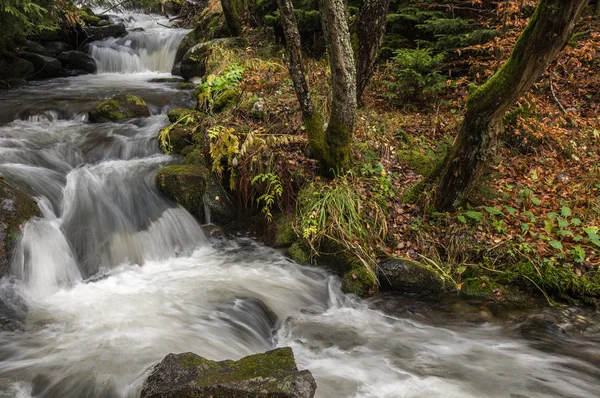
[(312, 120)]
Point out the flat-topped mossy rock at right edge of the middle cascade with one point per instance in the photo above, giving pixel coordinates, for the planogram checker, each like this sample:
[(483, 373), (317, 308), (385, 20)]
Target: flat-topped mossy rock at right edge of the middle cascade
[(186, 184)]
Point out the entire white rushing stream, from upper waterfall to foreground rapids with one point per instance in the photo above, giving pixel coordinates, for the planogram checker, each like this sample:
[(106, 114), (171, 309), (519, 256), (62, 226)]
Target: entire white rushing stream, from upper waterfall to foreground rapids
[(113, 276)]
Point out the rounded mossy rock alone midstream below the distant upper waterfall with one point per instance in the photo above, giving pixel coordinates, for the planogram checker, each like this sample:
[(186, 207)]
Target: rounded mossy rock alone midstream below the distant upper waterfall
[(120, 107)]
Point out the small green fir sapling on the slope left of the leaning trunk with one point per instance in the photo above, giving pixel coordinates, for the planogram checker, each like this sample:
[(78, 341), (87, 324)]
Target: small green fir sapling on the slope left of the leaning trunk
[(415, 74)]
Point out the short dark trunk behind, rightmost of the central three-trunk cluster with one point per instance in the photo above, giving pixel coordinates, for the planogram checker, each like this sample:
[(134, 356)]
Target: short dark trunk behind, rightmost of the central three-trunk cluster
[(370, 29)]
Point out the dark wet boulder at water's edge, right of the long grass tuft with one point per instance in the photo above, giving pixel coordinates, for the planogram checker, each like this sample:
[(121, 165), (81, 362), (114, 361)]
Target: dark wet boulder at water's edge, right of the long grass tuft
[(406, 276)]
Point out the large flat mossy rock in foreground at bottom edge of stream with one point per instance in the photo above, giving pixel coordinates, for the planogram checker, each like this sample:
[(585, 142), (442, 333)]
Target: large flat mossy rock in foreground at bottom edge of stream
[(270, 375)]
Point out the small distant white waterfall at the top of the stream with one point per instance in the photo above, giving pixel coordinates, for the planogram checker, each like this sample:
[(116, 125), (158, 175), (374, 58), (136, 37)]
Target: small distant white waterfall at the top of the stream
[(150, 50)]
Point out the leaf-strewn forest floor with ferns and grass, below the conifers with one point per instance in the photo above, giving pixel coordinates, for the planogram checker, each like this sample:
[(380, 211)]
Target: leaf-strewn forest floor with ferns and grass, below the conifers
[(532, 224)]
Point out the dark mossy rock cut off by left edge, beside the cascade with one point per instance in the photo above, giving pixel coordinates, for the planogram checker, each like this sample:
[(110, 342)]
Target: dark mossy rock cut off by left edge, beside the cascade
[(16, 208)]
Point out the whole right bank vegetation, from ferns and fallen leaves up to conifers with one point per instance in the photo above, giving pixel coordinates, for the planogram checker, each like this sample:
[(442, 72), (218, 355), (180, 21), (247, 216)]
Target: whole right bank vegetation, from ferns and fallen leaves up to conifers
[(529, 226)]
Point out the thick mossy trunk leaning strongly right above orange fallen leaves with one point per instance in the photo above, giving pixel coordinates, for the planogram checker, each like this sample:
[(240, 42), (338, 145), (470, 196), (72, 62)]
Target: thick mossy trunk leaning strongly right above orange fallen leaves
[(544, 37)]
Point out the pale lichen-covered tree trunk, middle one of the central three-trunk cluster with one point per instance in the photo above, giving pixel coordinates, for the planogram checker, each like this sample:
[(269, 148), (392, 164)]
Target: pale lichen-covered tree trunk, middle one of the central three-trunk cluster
[(340, 129)]
